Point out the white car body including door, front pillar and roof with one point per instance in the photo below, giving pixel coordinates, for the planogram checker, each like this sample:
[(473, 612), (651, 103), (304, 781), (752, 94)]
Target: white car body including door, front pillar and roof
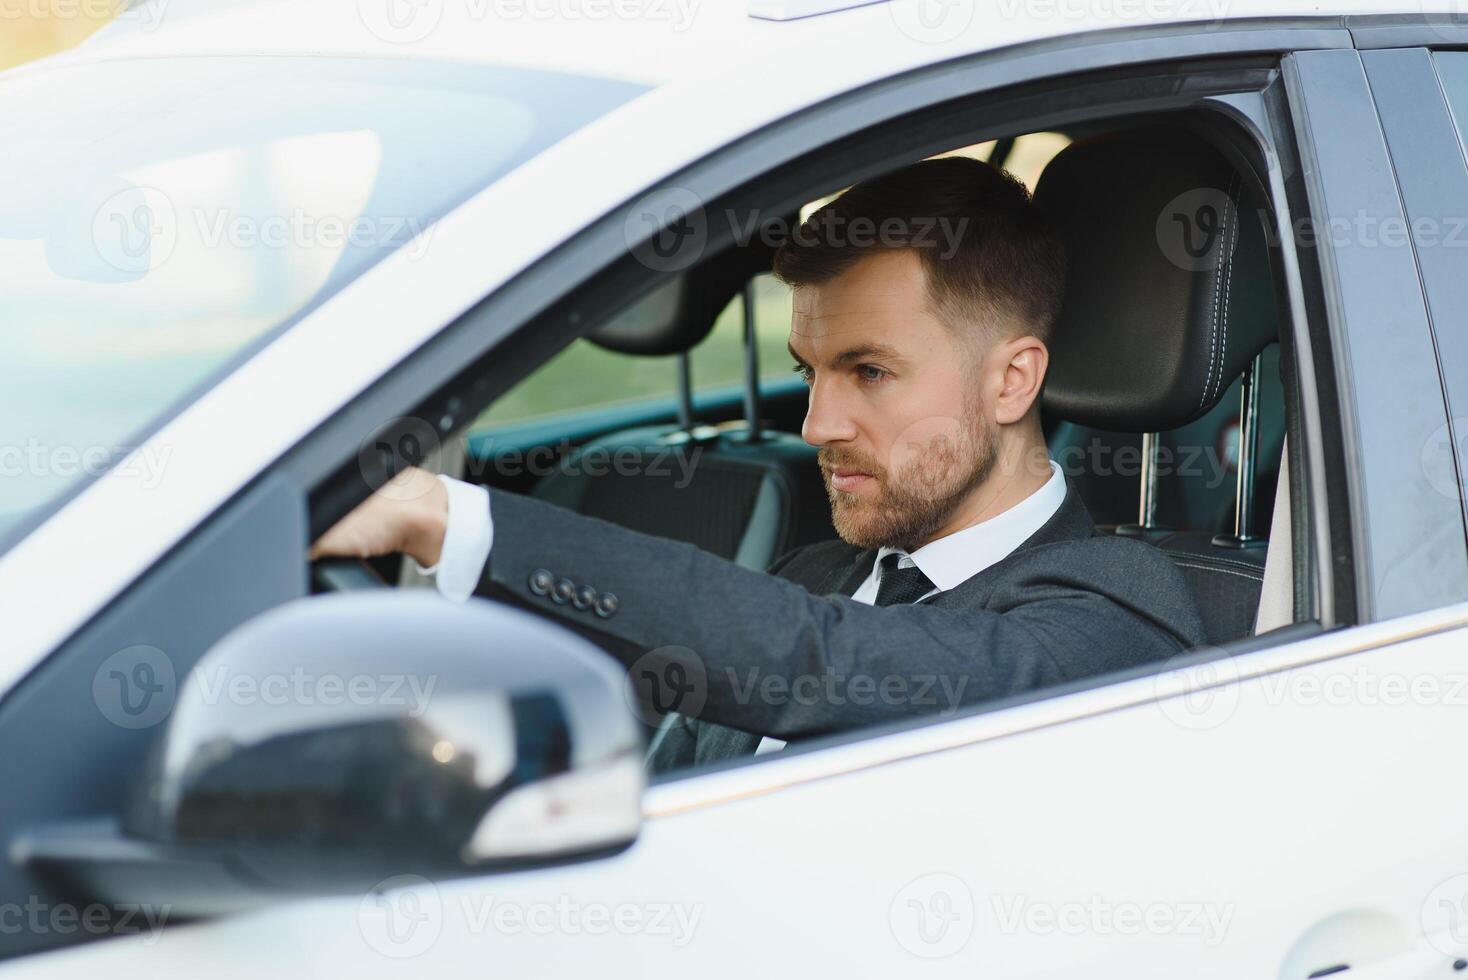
[(1222, 825)]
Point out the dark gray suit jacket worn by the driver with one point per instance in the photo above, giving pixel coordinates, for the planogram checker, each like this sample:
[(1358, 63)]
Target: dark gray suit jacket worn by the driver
[(791, 655)]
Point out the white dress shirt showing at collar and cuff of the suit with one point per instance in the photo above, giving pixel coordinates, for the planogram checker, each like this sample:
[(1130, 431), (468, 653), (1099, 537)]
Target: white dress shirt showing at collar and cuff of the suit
[(948, 563)]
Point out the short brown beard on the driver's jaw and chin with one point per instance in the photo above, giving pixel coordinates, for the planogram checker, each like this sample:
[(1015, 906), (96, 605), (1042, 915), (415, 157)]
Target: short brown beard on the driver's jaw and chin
[(934, 467)]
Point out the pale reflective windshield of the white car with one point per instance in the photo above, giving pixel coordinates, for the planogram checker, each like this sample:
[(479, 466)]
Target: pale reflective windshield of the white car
[(161, 221)]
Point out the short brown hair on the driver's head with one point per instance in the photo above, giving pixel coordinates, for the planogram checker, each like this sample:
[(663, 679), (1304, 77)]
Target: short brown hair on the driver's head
[(990, 256)]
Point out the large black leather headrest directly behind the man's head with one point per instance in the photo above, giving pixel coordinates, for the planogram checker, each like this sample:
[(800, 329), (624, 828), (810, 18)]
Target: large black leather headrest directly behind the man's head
[(1169, 293)]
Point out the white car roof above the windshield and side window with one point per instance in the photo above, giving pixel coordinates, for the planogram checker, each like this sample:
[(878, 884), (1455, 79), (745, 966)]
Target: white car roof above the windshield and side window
[(666, 42)]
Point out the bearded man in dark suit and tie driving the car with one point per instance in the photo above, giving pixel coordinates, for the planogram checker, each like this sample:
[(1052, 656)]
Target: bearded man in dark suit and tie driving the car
[(968, 570)]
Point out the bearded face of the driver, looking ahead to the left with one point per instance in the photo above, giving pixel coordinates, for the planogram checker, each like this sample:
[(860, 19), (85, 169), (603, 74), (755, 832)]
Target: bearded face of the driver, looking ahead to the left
[(895, 406)]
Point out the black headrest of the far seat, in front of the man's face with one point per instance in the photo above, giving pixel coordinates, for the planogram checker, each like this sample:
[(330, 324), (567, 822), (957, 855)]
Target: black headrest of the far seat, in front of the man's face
[(680, 312)]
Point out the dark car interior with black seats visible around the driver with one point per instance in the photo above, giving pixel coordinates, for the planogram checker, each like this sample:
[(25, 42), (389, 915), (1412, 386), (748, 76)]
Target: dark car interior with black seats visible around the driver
[(1165, 403)]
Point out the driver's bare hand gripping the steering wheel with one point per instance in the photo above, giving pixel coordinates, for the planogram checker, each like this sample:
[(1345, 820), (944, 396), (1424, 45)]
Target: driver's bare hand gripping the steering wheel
[(407, 514)]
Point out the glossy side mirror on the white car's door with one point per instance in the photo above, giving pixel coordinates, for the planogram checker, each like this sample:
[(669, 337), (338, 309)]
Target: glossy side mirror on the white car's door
[(347, 739)]
